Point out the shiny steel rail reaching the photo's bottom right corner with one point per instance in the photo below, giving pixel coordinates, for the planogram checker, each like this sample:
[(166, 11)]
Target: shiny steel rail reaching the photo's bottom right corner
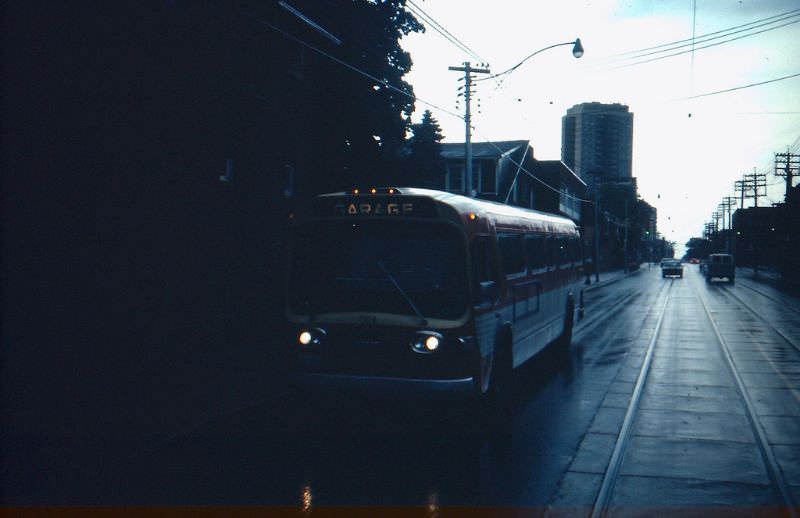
[(768, 456)]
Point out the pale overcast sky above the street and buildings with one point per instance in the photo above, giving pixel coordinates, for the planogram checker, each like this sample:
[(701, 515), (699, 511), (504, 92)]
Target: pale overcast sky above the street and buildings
[(691, 162)]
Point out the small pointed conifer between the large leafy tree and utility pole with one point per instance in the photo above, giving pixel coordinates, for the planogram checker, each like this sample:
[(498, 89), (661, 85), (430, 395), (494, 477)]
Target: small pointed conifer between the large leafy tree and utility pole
[(425, 164)]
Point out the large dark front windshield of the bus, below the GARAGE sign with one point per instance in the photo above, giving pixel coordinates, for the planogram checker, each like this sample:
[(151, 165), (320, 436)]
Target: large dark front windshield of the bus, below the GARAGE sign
[(400, 267)]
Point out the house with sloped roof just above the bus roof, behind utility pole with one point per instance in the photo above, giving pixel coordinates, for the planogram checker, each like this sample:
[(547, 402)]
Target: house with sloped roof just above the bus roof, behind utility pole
[(508, 172)]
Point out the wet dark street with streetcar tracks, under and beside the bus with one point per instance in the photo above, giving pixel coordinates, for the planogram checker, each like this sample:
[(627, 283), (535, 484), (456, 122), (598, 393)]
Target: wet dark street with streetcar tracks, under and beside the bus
[(673, 395)]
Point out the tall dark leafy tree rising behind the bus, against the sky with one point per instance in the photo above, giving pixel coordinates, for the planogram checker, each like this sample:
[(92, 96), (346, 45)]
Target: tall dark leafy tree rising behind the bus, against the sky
[(360, 111)]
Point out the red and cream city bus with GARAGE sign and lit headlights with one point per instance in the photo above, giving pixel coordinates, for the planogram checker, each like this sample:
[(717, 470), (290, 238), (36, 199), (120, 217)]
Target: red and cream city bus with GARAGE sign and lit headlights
[(417, 288)]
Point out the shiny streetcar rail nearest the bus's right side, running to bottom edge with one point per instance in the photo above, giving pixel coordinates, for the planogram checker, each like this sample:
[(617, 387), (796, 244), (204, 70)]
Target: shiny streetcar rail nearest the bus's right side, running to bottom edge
[(603, 497)]
